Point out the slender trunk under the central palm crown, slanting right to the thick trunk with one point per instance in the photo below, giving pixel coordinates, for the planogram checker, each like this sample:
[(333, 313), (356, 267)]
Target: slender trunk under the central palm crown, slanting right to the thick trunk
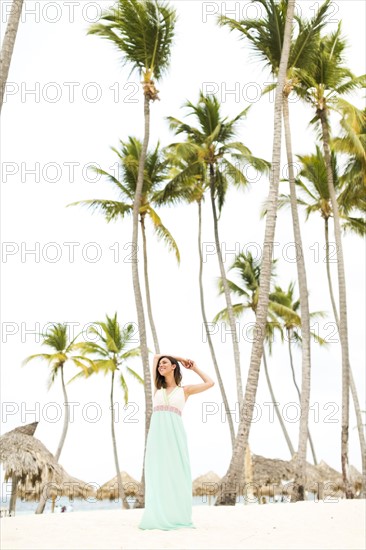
[(234, 337)]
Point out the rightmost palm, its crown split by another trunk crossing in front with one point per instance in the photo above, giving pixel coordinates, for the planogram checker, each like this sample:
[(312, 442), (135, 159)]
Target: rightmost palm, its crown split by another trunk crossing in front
[(315, 198)]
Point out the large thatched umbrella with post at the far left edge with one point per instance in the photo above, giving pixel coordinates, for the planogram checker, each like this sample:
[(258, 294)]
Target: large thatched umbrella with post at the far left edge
[(26, 459)]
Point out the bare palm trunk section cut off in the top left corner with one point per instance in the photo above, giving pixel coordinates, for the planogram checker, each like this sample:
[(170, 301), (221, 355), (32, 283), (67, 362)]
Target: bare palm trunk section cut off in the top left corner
[(8, 45)]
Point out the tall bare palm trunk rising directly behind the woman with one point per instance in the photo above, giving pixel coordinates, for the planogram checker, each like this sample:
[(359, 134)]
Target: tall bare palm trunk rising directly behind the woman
[(140, 498)]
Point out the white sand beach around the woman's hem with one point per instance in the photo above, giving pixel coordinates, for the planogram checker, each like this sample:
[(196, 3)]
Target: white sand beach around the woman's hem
[(304, 525)]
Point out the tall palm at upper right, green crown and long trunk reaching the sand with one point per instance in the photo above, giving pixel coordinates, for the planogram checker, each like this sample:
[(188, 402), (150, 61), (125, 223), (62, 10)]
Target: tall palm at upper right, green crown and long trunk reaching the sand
[(321, 85)]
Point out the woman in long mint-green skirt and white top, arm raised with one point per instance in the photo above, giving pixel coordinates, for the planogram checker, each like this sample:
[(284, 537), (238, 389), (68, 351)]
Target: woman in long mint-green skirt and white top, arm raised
[(168, 481)]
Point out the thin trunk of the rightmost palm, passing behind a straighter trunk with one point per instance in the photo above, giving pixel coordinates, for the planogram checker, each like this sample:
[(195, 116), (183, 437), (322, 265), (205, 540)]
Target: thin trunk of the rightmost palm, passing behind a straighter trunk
[(356, 402)]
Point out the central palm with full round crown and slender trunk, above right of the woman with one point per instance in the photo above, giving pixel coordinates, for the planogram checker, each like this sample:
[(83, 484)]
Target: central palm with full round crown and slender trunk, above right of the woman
[(215, 151)]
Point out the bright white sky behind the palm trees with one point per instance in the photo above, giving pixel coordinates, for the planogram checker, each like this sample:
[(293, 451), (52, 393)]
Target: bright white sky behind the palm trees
[(39, 130)]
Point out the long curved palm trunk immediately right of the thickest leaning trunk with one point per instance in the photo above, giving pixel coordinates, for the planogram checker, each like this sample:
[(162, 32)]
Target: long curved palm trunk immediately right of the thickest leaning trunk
[(300, 457)]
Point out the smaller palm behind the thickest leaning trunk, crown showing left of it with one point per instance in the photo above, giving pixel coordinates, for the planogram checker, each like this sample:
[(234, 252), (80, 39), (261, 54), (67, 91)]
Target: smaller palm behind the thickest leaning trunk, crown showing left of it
[(247, 291)]
